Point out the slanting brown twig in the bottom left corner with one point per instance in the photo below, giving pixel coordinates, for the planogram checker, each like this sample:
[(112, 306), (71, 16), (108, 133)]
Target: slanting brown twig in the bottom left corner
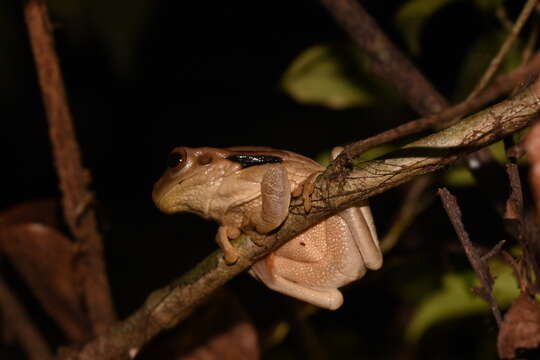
[(20, 323)]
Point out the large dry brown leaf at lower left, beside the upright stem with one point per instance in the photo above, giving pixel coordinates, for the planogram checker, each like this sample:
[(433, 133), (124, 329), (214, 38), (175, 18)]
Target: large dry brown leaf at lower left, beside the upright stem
[(45, 259)]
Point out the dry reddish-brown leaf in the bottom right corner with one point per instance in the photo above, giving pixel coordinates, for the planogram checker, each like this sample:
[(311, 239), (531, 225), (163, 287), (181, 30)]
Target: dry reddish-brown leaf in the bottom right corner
[(520, 328)]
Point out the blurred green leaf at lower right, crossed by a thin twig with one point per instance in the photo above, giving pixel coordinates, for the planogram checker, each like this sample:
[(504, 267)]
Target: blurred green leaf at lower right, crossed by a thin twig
[(455, 299)]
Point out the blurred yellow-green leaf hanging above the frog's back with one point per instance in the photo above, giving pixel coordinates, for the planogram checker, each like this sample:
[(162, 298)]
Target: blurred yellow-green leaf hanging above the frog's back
[(330, 76)]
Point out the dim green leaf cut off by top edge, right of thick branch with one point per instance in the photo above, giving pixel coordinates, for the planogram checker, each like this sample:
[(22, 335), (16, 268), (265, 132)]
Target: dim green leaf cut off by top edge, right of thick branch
[(412, 16)]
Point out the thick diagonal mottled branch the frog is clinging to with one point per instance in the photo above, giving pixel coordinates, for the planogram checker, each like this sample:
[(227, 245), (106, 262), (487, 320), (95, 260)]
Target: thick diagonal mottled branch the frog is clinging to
[(166, 307)]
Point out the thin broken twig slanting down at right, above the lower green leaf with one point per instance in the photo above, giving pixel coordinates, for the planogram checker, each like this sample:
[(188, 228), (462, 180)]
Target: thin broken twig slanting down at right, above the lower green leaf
[(480, 267)]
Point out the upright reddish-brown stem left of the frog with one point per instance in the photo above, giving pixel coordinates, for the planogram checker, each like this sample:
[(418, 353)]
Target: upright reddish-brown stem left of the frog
[(74, 178)]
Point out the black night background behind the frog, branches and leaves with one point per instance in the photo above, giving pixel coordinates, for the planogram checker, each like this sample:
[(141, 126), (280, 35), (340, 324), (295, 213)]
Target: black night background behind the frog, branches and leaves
[(145, 76)]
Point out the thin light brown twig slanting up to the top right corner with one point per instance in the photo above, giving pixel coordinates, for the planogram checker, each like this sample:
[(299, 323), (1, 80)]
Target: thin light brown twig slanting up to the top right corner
[(496, 61)]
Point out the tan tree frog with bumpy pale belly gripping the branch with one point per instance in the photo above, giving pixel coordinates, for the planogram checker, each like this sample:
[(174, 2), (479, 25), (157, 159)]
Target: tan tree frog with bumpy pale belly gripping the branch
[(249, 189)]
